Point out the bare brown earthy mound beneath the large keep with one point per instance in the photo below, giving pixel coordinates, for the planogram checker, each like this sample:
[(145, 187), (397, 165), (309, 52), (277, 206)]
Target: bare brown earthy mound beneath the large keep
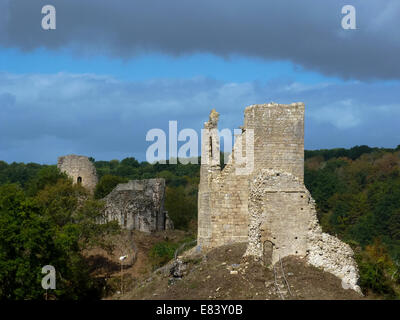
[(223, 274)]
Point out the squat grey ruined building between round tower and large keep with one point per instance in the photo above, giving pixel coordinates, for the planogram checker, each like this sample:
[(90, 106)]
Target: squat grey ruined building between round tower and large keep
[(139, 205)]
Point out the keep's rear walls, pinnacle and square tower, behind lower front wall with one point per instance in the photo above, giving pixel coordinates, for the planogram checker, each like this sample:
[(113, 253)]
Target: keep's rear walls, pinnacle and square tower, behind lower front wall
[(223, 194)]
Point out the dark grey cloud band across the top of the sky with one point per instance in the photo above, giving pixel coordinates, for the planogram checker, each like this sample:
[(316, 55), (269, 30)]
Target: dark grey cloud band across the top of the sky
[(306, 32)]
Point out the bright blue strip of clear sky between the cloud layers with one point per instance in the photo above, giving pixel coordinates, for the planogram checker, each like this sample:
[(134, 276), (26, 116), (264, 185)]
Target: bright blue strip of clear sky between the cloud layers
[(155, 66)]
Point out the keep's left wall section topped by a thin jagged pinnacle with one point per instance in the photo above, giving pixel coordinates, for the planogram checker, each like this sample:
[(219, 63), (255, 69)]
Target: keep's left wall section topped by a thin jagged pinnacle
[(222, 198)]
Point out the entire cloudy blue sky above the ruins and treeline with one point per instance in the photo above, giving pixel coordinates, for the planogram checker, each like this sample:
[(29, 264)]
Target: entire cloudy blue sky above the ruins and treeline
[(113, 70)]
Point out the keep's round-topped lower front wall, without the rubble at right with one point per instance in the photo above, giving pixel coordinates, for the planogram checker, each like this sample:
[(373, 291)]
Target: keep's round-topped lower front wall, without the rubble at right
[(279, 201)]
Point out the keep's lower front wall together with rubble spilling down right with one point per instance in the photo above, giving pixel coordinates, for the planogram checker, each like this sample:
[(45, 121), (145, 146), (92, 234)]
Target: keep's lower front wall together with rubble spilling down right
[(282, 213)]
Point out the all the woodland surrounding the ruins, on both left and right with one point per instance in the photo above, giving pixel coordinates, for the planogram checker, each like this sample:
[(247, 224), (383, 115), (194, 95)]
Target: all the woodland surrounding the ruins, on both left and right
[(45, 218)]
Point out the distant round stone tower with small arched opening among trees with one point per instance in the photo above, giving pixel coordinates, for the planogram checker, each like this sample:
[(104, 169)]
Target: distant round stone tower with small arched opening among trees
[(80, 169)]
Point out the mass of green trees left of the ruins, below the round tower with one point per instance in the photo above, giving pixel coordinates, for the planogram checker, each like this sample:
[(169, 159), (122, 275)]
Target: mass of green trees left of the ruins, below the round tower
[(46, 220)]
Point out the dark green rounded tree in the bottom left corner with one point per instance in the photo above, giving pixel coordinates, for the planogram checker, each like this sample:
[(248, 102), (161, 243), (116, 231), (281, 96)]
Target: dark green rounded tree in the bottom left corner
[(26, 245)]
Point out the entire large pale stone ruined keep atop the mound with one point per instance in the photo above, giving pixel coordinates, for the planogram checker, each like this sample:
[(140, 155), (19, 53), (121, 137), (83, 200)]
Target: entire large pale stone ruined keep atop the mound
[(267, 206)]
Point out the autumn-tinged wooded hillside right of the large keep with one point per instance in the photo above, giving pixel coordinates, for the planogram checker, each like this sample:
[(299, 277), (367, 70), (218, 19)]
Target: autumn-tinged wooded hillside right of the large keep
[(357, 192)]
